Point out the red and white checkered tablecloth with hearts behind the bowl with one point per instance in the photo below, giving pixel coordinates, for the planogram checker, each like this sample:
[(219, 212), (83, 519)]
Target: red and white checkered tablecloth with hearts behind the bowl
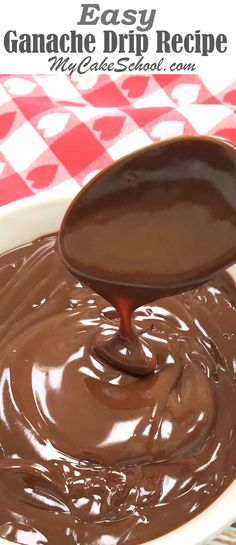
[(56, 132)]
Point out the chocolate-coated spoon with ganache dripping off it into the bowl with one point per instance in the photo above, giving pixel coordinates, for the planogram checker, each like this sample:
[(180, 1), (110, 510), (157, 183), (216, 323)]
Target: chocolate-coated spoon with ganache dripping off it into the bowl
[(159, 221)]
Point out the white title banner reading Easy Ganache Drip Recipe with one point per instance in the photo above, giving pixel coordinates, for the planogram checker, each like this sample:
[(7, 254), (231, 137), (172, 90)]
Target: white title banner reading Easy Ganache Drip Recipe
[(118, 37)]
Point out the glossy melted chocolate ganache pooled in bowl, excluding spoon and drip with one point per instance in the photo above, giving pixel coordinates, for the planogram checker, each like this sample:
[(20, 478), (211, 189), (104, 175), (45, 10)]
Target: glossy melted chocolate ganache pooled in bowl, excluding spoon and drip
[(91, 455)]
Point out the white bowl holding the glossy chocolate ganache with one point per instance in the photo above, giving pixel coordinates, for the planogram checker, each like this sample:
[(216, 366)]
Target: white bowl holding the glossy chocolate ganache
[(23, 221)]
